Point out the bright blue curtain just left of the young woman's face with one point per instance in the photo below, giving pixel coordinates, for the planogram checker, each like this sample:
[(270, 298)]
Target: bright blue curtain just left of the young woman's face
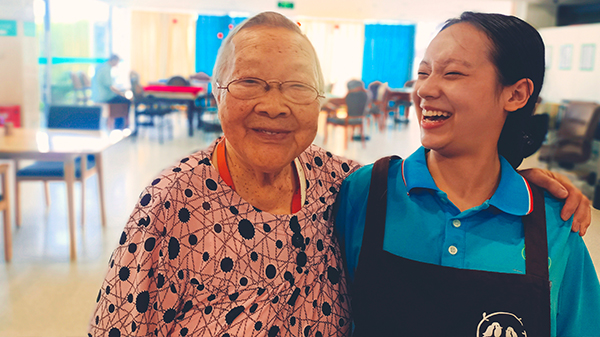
[(388, 54)]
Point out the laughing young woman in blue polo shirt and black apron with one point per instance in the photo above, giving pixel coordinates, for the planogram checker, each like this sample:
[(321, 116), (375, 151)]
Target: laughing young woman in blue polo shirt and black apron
[(453, 241)]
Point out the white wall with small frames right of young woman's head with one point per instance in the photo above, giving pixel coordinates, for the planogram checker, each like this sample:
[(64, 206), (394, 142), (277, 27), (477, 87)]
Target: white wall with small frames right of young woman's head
[(573, 83)]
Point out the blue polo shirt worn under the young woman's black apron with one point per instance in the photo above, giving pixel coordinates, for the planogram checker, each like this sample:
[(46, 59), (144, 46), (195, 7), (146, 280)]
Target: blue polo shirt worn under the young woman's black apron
[(424, 225)]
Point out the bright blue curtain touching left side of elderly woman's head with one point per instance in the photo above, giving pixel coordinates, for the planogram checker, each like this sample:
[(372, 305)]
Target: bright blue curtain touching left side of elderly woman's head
[(210, 32)]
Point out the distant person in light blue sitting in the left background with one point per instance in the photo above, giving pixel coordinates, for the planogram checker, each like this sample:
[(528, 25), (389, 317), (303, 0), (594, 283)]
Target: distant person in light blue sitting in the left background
[(103, 90)]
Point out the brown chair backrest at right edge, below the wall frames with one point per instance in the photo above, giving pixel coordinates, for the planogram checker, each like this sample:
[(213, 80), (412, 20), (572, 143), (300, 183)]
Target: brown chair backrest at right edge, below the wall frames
[(579, 121)]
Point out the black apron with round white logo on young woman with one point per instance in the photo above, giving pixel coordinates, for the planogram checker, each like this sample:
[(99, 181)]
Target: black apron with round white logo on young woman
[(394, 296)]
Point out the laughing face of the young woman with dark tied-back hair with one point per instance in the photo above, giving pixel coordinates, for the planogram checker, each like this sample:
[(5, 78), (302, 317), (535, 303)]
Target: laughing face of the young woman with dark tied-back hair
[(457, 95)]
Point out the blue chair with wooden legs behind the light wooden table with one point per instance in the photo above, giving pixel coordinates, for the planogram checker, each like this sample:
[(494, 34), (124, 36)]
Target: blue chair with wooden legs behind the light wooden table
[(66, 117)]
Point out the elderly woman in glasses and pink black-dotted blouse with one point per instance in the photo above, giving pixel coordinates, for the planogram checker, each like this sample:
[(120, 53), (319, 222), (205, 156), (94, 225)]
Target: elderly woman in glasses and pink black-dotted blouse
[(237, 239)]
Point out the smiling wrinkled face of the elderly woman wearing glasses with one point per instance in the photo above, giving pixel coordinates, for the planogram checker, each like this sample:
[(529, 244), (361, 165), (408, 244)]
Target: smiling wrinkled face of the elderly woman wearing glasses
[(266, 133)]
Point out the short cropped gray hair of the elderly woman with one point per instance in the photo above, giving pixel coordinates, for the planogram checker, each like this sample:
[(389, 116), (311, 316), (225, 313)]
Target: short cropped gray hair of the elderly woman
[(265, 19)]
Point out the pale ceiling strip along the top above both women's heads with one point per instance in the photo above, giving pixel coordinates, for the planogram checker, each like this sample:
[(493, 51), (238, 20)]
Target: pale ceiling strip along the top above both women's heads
[(405, 10)]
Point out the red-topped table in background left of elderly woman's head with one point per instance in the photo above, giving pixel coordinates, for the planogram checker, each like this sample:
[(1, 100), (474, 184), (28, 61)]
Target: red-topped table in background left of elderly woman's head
[(185, 95)]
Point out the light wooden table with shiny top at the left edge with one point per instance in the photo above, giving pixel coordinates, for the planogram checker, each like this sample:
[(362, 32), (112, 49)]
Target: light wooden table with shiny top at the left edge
[(60, 145)]
